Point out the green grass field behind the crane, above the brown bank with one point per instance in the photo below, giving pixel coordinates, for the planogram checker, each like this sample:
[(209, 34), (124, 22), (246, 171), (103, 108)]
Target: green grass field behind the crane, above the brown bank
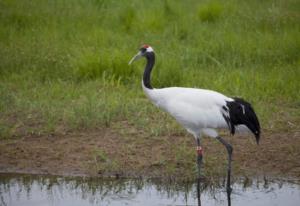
[(64, 65)]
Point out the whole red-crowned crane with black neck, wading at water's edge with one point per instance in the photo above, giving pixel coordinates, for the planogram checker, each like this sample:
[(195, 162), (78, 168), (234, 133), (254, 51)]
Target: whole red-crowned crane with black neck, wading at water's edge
[(200, 111)]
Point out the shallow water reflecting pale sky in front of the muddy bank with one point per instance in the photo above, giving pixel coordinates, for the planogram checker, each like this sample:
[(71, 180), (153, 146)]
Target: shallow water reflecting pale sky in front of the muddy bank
[(46, 190)]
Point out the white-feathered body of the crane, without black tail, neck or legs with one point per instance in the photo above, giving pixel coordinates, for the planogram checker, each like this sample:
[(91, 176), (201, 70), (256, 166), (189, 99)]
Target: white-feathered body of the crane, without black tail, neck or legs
[(197, 110)]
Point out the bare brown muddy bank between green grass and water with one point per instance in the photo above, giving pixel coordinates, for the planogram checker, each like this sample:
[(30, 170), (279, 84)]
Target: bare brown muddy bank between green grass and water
[(107, 152)]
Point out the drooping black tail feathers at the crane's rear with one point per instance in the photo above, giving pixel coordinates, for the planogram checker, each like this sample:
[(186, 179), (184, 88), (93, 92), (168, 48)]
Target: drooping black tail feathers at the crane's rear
[(242, 113)]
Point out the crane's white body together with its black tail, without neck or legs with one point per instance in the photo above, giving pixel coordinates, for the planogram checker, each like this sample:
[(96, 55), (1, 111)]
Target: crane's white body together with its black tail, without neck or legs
[(202, 111)]
